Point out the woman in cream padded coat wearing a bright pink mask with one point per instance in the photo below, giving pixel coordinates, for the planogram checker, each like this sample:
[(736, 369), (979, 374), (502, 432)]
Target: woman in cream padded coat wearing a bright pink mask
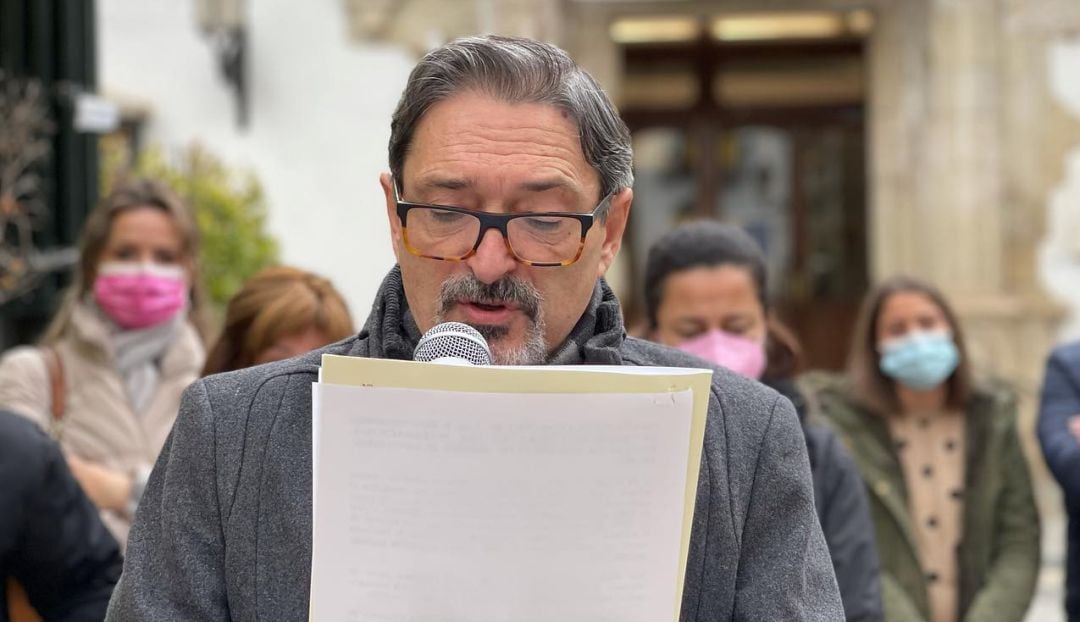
[(107, 377)]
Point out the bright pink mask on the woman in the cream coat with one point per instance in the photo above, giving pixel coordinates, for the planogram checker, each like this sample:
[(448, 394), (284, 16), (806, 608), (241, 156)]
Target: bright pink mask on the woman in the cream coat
[(141, 295)]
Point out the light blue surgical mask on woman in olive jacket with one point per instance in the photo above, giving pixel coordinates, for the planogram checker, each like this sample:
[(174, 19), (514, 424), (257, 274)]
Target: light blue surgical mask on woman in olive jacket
[(921, 360)]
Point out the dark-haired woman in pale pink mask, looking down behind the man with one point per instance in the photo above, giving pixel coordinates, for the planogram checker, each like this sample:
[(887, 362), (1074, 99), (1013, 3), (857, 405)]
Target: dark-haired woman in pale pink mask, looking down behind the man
[(706, 294)]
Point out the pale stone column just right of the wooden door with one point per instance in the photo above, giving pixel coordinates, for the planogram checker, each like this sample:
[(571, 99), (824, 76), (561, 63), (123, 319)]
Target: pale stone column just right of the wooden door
[(936, 144)]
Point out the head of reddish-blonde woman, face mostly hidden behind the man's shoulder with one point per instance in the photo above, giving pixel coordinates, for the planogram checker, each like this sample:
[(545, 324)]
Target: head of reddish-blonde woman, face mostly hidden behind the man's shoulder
[(279, 314)]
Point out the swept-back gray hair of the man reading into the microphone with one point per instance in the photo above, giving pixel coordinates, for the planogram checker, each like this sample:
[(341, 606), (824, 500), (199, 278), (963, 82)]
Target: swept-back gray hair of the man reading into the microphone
[(518, 71)]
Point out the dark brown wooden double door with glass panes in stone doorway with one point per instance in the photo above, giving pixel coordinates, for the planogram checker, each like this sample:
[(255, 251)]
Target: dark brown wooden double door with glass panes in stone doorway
[(720, 133)]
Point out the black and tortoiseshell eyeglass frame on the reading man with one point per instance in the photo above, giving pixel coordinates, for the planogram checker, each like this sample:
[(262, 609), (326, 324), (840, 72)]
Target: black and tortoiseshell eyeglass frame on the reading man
[(499, 222)]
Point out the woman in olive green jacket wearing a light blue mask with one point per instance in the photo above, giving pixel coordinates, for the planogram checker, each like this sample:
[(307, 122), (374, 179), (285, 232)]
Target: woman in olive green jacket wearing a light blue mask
[(951, 496)]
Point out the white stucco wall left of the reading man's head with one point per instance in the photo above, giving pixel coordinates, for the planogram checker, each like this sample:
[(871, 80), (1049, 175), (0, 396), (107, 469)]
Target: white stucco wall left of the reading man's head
[(320, 120)]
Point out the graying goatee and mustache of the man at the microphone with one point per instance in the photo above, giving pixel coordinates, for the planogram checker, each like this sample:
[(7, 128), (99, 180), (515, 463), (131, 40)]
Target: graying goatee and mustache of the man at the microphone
[(508, 291)]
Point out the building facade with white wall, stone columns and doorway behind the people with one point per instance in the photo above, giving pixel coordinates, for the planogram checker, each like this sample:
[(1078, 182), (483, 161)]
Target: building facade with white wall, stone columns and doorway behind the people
[(964, 118)]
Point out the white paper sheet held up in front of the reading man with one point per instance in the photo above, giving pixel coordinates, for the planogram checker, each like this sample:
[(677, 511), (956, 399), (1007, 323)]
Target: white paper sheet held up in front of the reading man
[(438, 506)]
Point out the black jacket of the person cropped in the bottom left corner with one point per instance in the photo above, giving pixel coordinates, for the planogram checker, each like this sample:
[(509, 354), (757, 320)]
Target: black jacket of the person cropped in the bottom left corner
[(51, 538)]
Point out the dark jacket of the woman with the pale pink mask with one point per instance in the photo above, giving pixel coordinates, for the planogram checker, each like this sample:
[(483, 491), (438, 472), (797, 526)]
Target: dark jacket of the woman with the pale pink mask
[(844, 512)]
